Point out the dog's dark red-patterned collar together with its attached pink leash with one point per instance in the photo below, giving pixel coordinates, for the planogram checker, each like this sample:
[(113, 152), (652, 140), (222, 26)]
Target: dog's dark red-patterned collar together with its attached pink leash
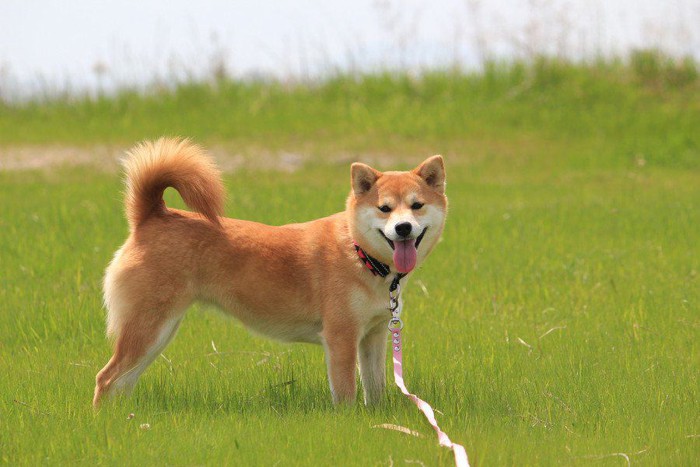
[(395, 326)]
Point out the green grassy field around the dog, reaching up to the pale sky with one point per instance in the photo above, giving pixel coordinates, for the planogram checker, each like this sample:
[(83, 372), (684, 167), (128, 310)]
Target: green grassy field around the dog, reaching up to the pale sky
[(557, 323)]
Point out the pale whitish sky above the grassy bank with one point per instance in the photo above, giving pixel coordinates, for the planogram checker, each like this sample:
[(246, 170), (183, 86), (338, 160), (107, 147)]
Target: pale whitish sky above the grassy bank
[(51, 45)]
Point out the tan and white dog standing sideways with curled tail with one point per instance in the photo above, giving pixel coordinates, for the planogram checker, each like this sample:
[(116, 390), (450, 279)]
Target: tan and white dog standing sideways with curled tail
[(298, 282)]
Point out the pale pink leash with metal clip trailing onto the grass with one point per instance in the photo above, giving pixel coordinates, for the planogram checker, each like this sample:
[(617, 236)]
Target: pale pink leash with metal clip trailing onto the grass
[(395, 326)]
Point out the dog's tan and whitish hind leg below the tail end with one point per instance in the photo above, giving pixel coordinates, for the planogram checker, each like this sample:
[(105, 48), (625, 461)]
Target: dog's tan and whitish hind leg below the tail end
[(138, 342)]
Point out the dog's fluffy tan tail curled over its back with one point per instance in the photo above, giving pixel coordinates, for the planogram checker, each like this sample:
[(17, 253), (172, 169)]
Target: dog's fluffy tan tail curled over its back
[(151, 167)]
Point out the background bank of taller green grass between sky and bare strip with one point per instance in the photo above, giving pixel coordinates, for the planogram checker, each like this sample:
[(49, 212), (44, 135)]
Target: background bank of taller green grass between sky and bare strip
[(649, 108)]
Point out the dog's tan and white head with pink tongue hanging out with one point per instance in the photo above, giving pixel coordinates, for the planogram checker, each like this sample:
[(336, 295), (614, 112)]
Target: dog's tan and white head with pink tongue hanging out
[(398, 217)]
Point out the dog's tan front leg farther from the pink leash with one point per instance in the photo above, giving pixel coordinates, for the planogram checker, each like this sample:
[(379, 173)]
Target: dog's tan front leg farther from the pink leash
[(340, 343)]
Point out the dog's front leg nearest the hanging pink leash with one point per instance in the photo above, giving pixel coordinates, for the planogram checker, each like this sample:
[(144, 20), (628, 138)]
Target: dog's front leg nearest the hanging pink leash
[(372, 363)]
